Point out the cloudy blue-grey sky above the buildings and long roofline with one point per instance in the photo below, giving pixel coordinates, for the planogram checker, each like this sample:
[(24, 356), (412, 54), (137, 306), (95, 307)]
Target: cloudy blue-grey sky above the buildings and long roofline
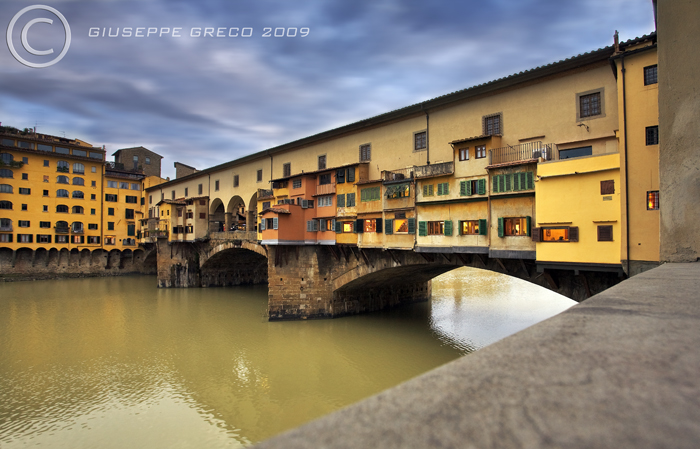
[(206, 82)]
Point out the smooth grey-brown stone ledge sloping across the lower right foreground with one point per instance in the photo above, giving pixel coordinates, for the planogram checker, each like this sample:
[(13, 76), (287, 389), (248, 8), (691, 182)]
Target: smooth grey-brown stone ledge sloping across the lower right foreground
[(619, 370)]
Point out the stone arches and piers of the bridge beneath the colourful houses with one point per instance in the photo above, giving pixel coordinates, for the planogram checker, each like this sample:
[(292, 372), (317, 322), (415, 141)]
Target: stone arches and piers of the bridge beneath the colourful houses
[(307, 282)]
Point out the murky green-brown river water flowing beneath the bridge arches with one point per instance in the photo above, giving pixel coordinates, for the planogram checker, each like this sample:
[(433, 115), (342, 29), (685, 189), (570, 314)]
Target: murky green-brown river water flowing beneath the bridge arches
[(118, 363)]
